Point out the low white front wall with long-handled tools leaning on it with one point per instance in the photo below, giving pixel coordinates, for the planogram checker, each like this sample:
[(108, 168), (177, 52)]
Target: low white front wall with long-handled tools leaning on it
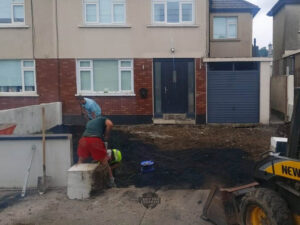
[(15, 156)]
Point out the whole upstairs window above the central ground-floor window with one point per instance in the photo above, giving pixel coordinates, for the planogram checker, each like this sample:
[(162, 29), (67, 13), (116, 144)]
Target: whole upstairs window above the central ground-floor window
[(104, 11)]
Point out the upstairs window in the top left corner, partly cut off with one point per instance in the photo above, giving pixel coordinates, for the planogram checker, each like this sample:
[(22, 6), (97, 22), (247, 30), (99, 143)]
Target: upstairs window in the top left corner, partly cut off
[(12, 12)]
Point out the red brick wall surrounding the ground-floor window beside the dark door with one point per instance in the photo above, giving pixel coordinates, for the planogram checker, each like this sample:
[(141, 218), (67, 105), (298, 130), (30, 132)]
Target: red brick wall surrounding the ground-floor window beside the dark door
[(133, 105)]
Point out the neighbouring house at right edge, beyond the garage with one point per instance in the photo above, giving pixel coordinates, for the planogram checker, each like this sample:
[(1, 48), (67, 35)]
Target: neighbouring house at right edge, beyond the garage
[(286, 56)]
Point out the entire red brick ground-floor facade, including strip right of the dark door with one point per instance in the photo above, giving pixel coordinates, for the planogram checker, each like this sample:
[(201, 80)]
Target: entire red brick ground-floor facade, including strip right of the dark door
[(53, 86)]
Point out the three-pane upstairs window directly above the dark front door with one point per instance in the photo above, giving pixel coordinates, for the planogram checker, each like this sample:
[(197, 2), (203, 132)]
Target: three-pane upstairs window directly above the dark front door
[(172, 11)]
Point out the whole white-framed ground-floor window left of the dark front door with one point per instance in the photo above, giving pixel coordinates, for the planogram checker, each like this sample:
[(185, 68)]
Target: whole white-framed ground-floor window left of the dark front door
[(105, 76)]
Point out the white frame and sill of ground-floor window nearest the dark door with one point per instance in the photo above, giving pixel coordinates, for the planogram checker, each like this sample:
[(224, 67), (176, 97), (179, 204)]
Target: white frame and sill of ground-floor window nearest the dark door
[(91, 92)]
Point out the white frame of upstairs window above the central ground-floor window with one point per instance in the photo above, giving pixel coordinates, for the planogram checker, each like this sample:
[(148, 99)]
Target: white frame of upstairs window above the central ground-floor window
[(98, 22)]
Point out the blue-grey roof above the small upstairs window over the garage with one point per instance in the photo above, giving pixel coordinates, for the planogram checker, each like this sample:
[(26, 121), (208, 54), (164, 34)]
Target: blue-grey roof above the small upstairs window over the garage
[(233, 6)]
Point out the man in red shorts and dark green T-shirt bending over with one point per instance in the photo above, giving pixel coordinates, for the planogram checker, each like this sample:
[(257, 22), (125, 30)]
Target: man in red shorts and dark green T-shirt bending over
[(92, 143)]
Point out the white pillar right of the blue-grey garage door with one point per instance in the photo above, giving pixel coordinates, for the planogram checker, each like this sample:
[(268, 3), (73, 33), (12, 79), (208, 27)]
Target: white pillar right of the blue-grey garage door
[(265, 79)]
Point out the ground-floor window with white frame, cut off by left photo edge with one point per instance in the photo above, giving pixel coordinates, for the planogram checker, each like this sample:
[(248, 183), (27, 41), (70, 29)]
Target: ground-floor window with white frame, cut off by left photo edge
[(17, 76)]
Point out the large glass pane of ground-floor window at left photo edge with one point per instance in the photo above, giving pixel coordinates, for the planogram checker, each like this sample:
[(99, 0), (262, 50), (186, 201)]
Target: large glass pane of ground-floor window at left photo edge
[(10, 76)]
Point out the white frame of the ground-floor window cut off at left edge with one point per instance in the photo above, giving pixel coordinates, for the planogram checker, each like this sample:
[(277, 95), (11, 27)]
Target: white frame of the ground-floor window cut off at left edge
[(23, 70)]
